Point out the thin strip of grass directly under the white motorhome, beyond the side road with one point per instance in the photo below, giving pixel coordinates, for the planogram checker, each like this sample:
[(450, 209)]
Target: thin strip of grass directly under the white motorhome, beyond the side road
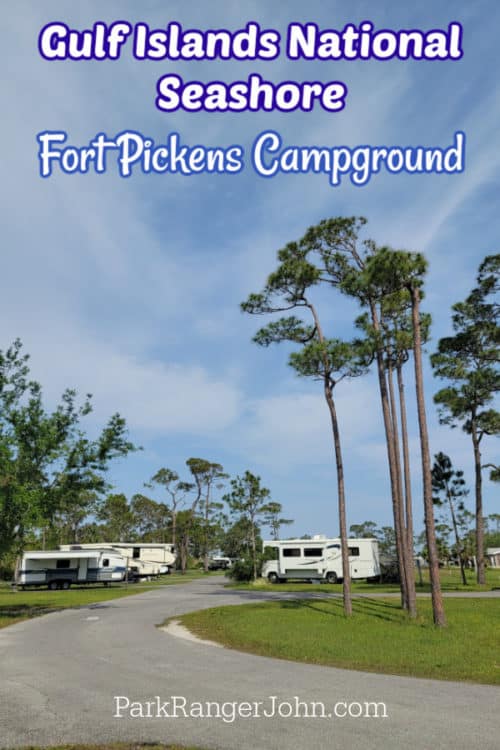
[(450, 581)]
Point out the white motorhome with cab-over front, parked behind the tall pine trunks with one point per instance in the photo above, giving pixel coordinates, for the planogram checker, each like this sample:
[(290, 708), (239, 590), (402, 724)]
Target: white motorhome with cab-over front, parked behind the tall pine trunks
[(320, 559)]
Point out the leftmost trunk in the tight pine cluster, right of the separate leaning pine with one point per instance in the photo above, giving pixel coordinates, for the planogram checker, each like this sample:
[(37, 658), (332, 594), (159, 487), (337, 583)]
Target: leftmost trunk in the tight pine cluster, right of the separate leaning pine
[(389, 439)]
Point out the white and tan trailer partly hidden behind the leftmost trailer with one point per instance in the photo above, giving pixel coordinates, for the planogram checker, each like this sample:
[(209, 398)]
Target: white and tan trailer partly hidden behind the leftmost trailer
[(144, 559)]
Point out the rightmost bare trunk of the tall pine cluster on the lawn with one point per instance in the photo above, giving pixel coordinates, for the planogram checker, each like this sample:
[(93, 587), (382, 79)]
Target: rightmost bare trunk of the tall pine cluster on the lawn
[(430, 530)]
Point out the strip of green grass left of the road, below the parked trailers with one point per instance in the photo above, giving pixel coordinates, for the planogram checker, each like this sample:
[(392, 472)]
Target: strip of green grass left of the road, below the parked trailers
[(23, 605)]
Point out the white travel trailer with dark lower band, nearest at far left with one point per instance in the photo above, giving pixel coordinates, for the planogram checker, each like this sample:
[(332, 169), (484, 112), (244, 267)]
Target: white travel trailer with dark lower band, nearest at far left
[(58, 569)]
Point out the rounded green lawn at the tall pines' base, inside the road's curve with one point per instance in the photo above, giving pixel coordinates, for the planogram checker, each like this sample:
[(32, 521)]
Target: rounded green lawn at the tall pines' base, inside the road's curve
[(378, 638)]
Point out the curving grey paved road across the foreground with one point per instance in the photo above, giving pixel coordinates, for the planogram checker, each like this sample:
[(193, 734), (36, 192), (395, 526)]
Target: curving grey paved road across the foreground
[(60, 673)]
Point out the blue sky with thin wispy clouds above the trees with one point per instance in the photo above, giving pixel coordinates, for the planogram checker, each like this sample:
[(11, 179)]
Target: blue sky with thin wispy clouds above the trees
[(130, 288)]
